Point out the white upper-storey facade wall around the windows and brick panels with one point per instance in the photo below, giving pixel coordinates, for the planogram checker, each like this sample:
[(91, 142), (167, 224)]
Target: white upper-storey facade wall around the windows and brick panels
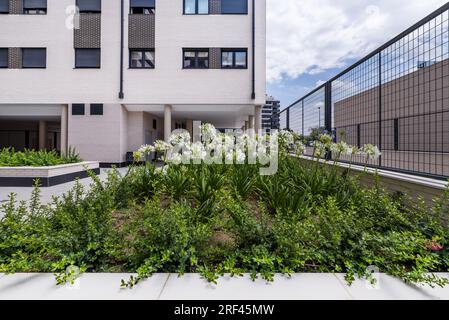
[(167, 84)]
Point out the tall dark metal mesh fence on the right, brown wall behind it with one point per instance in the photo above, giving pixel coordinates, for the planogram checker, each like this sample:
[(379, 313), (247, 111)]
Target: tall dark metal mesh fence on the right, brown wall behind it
[(396, 98)]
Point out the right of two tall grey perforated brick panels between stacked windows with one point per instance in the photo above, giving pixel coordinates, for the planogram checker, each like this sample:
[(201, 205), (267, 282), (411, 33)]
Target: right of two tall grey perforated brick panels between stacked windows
[(141, 28)]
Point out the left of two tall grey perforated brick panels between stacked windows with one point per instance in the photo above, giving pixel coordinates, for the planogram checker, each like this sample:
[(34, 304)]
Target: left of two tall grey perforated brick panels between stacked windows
[(88, 36)]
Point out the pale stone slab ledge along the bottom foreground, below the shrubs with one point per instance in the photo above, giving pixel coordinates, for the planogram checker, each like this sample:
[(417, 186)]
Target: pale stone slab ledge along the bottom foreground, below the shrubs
[(192, 287)]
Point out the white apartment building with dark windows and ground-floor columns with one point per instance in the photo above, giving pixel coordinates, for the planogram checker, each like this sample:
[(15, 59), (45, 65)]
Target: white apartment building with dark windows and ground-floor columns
[(116, 74)]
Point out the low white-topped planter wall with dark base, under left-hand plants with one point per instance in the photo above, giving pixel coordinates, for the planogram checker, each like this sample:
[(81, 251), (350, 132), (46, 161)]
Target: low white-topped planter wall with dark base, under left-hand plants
[(48, 176)]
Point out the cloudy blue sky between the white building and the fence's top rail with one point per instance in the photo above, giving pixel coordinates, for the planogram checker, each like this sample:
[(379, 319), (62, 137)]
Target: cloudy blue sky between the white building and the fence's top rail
[(309, 41)]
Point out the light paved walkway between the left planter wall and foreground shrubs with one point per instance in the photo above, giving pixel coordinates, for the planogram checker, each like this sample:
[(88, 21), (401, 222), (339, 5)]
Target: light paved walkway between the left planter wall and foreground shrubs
[(24, 193)]
